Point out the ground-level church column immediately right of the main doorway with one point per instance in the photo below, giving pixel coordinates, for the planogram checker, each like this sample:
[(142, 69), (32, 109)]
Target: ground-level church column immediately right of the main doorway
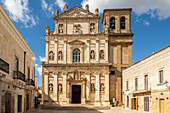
[(88, 82)]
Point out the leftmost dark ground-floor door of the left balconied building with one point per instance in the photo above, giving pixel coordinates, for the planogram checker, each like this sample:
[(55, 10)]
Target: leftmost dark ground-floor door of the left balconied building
[(7, 103)]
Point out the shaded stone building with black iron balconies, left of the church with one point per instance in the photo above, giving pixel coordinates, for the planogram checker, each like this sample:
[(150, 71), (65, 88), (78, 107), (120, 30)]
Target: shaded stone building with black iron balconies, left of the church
[(16, 69)]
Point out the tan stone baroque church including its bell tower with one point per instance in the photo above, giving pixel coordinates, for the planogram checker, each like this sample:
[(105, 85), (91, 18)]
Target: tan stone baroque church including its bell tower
[(83, 64)]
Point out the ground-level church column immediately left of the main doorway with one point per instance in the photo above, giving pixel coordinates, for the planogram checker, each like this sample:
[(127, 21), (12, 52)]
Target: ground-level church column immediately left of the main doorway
[(64, 86)]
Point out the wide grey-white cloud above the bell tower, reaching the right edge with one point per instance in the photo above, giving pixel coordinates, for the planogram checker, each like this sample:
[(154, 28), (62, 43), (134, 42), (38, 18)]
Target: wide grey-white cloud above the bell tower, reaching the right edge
[(155, 8)]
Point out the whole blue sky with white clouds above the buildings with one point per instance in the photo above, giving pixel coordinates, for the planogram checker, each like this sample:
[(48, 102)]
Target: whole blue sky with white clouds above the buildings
[(150, 23)]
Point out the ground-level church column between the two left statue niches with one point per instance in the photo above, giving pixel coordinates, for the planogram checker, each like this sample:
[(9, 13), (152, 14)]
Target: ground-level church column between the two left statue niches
[(55, 86)]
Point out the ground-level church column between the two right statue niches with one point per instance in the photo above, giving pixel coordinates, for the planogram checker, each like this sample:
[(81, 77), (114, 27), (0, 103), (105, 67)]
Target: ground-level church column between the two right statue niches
[(97, 89)]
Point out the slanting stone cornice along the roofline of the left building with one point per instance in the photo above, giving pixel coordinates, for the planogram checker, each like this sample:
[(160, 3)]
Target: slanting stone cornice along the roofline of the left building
[(13, 31)]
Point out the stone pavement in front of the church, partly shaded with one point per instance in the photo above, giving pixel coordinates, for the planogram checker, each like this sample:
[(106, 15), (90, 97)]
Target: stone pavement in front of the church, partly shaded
[(82, 110)]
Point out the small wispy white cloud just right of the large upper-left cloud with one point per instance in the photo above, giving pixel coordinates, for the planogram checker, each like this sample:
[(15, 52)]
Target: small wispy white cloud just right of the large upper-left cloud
[(48, 9)]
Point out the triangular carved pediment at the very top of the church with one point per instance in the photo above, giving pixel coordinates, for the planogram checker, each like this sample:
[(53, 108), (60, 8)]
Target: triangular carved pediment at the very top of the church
[(77, 12)]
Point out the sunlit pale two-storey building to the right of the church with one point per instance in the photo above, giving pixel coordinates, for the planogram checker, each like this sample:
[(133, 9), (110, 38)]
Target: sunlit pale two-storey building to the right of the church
[(146, 84)]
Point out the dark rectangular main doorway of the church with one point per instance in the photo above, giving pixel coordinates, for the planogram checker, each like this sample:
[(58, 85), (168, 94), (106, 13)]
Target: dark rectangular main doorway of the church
[(76, 94)]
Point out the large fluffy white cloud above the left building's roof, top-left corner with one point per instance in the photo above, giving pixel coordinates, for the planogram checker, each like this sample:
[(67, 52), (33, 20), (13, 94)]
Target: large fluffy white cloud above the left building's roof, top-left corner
[(20, 12)]
